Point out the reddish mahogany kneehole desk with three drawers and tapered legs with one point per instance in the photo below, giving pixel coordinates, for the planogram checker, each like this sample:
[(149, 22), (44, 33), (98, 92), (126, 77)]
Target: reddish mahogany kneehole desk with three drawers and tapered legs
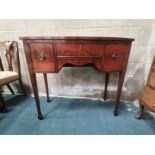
[(50, 54)]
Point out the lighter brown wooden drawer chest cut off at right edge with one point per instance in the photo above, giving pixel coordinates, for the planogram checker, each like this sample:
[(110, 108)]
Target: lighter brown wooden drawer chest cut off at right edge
[(147, 98)]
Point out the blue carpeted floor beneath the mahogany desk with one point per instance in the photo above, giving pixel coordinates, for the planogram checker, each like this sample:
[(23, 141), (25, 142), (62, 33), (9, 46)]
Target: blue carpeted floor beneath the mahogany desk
[(72, 116)]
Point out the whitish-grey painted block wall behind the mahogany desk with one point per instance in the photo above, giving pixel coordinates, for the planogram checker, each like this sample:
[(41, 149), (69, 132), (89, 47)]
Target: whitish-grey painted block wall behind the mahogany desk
[(87, 82)]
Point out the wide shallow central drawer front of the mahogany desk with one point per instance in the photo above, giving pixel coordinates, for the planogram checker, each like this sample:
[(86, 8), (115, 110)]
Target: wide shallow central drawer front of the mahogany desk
[(79, 49)]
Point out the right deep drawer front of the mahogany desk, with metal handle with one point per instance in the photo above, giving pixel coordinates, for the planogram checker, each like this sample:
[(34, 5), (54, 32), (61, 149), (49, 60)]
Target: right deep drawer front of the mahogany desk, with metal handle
[(114, 56)]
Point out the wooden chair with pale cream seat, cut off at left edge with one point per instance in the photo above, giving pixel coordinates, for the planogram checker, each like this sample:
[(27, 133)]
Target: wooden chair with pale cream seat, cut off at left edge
[(13, 73)]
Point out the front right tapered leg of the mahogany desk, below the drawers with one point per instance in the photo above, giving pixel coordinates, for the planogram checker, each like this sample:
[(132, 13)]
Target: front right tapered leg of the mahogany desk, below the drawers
[(119, 89)]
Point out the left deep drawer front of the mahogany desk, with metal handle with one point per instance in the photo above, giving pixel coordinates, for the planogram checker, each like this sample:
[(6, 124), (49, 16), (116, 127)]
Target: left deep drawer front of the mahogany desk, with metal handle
[(42, 57)]
